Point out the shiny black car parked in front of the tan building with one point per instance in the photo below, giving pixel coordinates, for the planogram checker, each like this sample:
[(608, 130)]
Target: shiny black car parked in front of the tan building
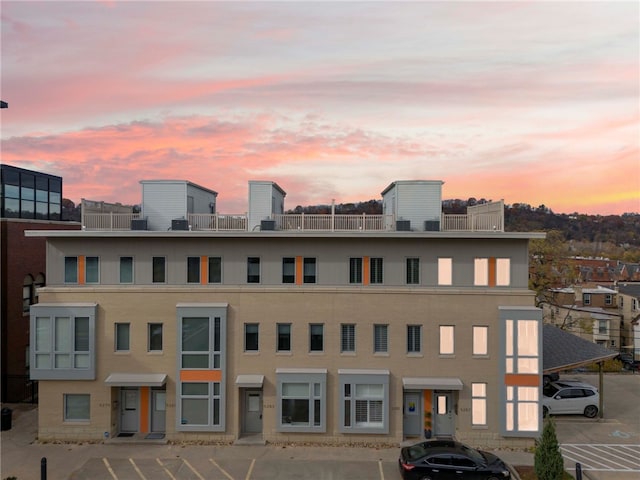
[(435, 459)]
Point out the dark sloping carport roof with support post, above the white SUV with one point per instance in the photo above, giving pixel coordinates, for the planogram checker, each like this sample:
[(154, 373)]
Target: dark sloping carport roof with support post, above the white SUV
[(565, 351)]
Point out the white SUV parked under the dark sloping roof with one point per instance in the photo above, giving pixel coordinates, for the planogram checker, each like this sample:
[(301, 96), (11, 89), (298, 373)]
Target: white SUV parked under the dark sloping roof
[(570, 396)]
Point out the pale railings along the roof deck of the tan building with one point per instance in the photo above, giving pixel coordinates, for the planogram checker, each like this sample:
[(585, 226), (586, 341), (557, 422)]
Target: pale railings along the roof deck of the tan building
[(470, 222)]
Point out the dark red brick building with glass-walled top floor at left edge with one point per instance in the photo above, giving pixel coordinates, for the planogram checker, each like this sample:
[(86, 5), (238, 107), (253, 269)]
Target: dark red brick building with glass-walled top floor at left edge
[(29, 201)]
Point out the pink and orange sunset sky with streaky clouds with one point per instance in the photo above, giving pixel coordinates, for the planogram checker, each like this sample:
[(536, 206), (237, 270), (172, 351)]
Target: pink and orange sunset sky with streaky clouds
[(530, 102)]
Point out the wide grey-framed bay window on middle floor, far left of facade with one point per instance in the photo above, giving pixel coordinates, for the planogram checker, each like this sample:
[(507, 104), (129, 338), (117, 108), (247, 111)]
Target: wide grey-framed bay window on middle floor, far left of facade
[(62, 342)]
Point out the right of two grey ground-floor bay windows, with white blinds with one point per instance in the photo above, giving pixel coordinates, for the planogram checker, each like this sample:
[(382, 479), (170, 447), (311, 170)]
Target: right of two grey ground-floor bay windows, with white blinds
[(364, 401)]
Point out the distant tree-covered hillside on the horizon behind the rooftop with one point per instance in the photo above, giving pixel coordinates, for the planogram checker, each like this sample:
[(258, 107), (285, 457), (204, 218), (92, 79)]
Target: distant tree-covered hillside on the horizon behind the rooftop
[(621, 230)]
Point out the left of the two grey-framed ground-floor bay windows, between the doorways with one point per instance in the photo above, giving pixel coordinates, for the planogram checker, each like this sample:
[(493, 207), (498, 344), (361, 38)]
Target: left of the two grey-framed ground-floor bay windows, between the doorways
[(301, 400)]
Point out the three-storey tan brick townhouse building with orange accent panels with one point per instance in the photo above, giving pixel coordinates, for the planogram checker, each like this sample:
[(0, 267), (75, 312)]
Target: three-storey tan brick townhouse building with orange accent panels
[(198, 326)]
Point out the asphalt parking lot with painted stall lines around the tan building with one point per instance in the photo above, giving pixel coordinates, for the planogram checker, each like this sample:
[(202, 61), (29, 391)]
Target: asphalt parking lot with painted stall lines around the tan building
[(607, 449)]
